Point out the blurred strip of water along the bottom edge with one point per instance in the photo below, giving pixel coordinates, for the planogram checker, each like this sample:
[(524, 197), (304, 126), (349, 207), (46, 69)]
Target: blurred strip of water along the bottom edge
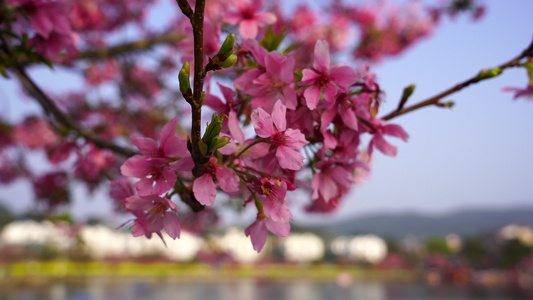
[(245, 289)]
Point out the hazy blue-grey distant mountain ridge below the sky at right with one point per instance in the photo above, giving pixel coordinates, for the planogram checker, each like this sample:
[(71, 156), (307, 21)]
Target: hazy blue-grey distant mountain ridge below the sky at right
[(466, 222)]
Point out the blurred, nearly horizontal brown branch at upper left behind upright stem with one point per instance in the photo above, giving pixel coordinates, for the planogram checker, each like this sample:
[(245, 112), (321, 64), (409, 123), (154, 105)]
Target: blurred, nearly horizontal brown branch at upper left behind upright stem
[(140, 45)]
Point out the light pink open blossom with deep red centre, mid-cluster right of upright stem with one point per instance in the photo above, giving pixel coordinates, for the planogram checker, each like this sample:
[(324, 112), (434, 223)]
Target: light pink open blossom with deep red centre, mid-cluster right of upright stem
[(286, 141)]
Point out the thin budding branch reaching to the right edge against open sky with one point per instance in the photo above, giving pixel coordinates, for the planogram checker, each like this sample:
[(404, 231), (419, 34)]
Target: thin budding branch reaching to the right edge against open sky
[(435, 99)]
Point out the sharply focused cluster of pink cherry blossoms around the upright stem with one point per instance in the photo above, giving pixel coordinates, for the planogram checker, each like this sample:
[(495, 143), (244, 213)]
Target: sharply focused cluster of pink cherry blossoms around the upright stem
[(325, 112)]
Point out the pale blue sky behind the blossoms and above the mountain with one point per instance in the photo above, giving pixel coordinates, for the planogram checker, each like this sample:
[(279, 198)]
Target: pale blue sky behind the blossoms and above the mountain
[(476, 155)]
